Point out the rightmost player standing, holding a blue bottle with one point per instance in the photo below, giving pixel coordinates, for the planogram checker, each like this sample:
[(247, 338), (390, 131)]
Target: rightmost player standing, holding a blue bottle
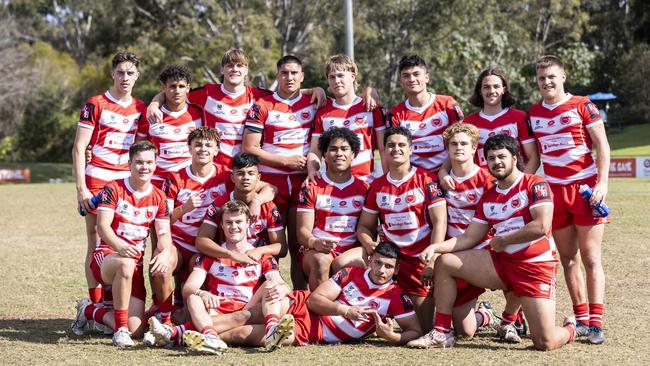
[(566, 128)]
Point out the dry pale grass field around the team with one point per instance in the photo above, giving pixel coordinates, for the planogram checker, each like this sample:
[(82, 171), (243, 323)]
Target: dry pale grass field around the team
[(42, 248)]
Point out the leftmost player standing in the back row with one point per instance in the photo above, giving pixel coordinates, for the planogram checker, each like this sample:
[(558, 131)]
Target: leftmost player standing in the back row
[(107, 125)]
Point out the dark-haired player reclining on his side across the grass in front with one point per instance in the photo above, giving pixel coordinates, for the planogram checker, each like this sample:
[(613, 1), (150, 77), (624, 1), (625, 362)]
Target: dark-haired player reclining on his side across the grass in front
[(353, 304)]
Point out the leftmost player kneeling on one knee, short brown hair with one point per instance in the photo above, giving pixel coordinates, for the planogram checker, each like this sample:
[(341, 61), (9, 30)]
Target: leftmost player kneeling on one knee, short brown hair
[(127, 209)]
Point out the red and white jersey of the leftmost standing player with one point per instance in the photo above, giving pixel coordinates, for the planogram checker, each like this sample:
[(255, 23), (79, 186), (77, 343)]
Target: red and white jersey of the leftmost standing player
[(114, 125)]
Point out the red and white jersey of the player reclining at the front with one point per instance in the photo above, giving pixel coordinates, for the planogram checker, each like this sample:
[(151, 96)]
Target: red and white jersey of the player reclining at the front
[(358, 290)]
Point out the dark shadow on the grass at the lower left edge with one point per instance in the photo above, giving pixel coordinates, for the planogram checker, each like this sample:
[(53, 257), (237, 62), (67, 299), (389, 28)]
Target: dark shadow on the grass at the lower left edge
[(49, 331)]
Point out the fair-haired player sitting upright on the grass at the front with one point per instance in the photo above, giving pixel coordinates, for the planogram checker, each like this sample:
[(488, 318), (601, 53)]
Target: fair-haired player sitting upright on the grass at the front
[(232, 286)]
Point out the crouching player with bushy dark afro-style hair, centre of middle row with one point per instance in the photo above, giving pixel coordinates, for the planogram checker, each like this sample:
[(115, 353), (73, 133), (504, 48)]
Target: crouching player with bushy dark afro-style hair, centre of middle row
[(329, 208)]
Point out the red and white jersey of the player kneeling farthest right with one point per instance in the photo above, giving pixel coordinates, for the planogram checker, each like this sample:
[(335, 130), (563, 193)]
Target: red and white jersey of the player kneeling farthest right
[(509, 210)]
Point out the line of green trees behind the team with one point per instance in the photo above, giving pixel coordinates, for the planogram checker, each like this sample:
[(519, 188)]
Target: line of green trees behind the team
[(57, 52)]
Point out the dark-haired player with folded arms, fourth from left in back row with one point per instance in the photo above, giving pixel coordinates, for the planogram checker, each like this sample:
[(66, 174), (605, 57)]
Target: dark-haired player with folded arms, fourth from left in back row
[(278, 130)]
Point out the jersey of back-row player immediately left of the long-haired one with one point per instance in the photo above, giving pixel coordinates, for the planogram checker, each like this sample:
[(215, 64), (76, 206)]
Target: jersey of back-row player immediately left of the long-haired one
[(427, 125)]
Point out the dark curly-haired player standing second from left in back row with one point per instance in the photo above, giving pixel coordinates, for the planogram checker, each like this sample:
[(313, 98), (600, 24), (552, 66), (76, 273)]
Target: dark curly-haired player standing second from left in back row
[(179, 119)]
